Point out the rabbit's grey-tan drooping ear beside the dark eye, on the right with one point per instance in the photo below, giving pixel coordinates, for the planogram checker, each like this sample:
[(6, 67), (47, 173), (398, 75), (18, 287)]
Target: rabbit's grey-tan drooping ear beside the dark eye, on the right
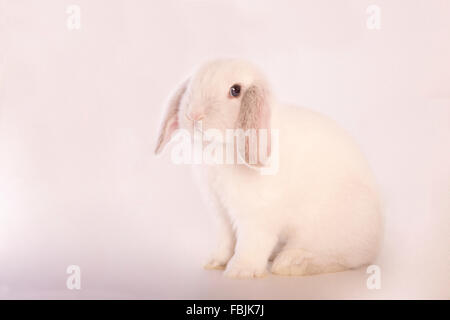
[(255, 114)]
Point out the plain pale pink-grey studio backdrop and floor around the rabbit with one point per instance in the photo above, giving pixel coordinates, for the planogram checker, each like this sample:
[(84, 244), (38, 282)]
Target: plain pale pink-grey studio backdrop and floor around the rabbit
[(79, 112)]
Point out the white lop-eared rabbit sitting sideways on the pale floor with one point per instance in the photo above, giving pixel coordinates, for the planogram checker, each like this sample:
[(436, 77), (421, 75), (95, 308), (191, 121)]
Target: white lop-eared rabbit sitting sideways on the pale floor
[(321, 208)]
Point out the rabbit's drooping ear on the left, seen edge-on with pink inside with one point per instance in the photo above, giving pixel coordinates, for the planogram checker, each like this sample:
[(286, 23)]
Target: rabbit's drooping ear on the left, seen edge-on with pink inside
[(170, 120)]
